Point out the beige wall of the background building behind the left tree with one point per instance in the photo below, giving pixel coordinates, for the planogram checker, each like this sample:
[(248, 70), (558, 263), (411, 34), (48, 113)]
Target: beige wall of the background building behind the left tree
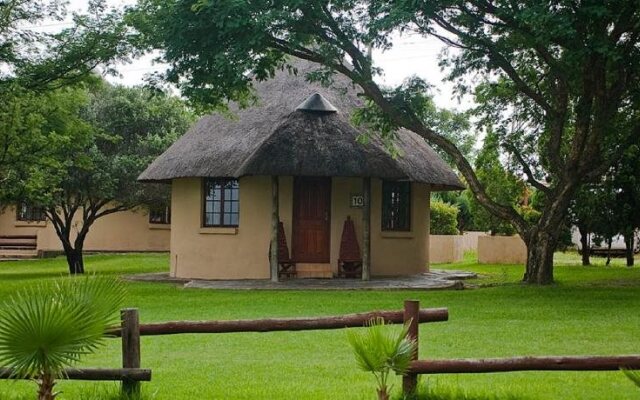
[(123, 231)]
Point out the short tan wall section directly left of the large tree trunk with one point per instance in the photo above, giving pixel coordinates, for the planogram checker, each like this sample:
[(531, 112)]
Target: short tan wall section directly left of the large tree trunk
[(501, 250)]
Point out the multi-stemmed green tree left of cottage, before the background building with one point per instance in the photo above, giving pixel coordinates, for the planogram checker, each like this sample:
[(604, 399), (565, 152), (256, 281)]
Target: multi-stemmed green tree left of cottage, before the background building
[(129, 128)]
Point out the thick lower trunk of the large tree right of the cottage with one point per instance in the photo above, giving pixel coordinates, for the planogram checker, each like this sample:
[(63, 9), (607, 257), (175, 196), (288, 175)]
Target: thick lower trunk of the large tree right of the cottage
[(540, 248)]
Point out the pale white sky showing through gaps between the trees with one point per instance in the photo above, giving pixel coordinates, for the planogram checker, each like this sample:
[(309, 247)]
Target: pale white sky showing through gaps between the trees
[(410, 55)]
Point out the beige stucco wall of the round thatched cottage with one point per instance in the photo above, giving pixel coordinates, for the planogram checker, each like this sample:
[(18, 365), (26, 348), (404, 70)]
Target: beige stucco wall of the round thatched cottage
[(242, 253)]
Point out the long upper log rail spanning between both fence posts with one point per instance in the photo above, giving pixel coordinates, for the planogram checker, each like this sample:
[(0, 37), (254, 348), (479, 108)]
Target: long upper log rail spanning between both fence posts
[(293, 324)]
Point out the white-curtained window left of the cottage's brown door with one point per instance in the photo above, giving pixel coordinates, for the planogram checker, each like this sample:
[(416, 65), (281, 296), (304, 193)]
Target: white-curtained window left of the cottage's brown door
[(221, 202)]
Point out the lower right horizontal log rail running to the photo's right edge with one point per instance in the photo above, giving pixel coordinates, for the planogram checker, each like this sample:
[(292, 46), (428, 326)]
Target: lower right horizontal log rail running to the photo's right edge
[(470, 366)]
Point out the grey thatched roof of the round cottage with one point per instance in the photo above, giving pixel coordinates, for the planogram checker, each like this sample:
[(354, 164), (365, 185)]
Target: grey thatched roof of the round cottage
[(294, 132)]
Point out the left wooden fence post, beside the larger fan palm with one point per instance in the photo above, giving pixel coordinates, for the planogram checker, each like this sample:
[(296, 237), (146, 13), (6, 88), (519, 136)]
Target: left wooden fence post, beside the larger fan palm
[(130, 348)]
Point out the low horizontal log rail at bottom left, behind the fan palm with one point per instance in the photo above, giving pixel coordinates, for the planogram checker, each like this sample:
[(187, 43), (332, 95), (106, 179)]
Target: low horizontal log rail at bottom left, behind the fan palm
[(94, 374)]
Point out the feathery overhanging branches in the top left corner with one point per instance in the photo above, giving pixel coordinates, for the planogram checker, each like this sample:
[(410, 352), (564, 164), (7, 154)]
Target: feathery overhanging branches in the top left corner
[(38, 60)]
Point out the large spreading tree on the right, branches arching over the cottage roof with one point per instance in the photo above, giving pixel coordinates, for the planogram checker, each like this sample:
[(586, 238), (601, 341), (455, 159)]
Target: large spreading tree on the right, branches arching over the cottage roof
[(553, 76)]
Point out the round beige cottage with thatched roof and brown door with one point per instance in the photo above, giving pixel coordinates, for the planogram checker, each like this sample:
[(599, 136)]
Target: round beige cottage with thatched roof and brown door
[(294, 158)]
